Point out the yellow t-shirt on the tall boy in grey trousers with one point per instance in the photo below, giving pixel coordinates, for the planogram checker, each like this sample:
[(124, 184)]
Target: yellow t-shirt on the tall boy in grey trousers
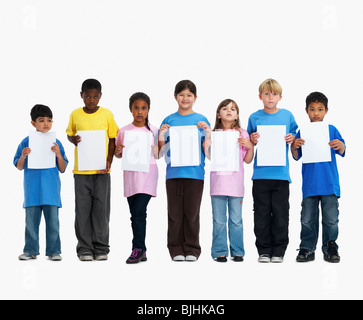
[(102, 119)]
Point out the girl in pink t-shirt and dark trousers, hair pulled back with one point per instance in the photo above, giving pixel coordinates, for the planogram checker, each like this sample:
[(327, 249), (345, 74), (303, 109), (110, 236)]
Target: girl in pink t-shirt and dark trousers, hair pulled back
[(139, 186)]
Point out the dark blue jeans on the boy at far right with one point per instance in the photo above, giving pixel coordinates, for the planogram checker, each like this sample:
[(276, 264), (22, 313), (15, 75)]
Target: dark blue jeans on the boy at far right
[(310, 221)]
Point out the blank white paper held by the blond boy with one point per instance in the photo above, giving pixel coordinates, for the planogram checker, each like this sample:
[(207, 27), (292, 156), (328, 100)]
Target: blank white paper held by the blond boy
[(271, 147)]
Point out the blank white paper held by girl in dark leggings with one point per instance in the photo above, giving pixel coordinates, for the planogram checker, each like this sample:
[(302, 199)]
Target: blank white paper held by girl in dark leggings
[(137, 151)]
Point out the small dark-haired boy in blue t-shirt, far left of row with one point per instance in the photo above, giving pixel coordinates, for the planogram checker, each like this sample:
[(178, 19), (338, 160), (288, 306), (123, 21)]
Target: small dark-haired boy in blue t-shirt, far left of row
[(41, 191)]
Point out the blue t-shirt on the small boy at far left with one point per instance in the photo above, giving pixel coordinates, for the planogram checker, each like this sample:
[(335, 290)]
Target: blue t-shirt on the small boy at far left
[(41, 186)]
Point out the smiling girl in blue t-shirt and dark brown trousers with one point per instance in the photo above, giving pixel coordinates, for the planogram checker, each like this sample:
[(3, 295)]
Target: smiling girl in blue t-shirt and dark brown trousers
[(184, 185)]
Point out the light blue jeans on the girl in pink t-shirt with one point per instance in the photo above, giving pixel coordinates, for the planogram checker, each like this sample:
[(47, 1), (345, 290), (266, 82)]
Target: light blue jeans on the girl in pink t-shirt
[(235, 226)]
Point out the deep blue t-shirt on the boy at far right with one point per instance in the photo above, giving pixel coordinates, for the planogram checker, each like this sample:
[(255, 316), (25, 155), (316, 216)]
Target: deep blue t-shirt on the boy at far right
[(321, 178)]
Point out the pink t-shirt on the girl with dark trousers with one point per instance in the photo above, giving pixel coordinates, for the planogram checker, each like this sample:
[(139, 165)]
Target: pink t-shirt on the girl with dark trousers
[(140, 182)]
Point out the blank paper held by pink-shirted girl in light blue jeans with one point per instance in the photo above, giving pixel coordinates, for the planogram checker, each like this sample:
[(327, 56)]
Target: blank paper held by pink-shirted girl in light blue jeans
[(225, 151)]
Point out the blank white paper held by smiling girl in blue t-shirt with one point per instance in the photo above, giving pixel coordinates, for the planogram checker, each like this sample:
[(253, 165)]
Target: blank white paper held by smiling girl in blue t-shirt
[(184, 146)]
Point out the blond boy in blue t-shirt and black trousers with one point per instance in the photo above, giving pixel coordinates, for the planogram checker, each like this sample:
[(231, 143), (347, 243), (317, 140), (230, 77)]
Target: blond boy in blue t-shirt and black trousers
[(271, 183)]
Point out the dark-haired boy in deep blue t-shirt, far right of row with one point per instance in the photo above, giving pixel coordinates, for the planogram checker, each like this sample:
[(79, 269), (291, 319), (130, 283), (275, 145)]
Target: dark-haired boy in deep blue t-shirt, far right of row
[(320, 184)]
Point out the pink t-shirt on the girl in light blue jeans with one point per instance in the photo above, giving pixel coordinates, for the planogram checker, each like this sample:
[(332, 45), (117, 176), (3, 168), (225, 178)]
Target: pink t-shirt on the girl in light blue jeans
[(230, 183)]
